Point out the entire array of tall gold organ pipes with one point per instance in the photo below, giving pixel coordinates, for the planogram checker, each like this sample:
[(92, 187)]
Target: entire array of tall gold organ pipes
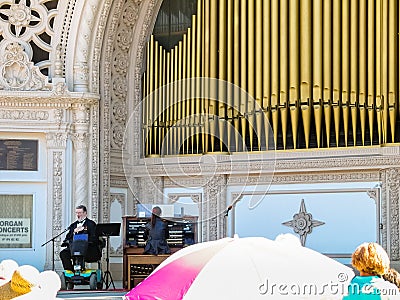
[(317, 74)]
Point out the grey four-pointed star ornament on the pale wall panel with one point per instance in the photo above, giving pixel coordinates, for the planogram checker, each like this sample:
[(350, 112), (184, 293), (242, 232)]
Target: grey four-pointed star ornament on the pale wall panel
[(303, 223)]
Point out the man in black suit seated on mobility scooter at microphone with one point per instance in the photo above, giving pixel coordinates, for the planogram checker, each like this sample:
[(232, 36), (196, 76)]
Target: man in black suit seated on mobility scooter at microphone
[(82, 245)]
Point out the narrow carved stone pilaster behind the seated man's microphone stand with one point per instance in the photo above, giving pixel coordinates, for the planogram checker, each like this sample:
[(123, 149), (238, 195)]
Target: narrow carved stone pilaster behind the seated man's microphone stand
[(56, 195)]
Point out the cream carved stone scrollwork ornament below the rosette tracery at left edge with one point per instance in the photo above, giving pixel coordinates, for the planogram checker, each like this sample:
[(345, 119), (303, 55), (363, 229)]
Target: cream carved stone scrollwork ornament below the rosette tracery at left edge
[(17, 72)]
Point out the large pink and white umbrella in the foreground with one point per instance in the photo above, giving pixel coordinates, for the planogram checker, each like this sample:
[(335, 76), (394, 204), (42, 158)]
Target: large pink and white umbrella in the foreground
[(245, 268)]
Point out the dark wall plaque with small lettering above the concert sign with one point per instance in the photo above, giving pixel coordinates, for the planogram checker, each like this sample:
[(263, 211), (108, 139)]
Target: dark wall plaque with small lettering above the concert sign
[(19, 155)]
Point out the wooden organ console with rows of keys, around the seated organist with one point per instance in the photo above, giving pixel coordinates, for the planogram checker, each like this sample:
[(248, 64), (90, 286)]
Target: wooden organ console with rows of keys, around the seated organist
[(136, 265)]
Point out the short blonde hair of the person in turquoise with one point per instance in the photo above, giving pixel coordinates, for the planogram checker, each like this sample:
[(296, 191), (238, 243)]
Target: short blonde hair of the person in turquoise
[(370, 258)]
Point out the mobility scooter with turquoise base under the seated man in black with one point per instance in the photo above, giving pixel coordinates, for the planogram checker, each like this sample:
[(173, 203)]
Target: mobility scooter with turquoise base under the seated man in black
[(81, 275)]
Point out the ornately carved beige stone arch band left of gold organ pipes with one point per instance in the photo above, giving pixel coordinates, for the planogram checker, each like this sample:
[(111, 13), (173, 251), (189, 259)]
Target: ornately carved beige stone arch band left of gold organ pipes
[(128, 27)]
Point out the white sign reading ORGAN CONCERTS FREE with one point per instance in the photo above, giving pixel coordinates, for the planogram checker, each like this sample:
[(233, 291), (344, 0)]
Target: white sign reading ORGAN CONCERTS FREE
[(15, 231)]
